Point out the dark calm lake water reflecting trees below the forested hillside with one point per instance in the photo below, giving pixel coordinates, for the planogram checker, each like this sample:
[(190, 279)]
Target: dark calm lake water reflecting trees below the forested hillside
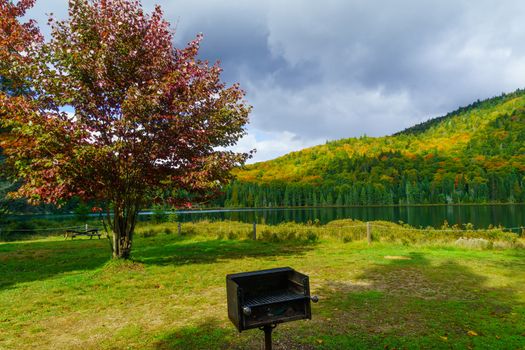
[(481, 216)]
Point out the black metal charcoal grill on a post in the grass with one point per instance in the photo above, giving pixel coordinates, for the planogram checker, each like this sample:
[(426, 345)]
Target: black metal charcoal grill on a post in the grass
[(262, 299)]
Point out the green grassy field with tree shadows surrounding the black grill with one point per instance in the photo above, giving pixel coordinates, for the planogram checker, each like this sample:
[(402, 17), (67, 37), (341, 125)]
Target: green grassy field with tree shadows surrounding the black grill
[(396, 293)]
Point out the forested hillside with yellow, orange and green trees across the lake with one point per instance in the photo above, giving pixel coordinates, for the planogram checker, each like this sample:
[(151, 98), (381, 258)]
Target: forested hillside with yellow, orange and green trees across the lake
[(473, 155)]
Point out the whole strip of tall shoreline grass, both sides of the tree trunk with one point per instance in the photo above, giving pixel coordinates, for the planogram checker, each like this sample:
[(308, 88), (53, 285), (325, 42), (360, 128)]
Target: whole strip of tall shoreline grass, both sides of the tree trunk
[(346, 230)]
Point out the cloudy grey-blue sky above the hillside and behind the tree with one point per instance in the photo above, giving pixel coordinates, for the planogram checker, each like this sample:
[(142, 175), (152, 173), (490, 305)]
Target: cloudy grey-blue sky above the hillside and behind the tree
[(323, 70)]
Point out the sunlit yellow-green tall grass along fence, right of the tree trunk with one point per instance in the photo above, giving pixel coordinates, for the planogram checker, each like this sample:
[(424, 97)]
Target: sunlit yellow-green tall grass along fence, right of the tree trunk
[(346, 230)]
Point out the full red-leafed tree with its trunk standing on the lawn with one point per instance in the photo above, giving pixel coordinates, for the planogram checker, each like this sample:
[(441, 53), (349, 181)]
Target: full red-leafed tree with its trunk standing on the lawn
[(147, 117)]
